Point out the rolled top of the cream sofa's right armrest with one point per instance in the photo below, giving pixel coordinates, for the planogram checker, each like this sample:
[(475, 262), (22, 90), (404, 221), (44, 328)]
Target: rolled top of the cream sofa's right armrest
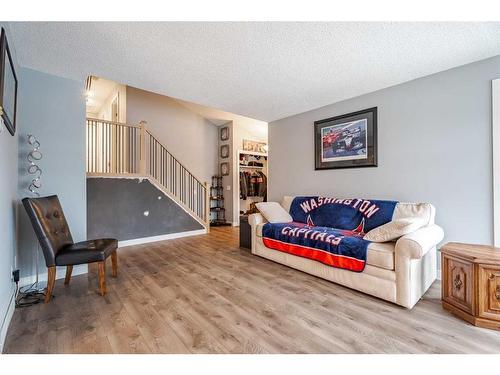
[(415, 245)]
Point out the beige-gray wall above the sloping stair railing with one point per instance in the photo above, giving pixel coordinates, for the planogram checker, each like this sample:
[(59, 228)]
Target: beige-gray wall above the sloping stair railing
[(188, 136)]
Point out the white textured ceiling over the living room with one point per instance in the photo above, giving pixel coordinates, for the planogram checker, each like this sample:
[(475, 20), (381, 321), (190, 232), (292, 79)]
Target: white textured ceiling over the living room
[(261, 70)]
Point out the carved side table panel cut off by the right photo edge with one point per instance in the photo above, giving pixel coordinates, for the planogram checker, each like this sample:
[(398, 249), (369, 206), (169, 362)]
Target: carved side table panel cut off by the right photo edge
[(489, 292)]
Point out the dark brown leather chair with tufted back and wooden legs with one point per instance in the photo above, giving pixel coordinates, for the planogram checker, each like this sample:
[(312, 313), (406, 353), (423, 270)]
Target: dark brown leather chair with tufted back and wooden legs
[(58, 247)]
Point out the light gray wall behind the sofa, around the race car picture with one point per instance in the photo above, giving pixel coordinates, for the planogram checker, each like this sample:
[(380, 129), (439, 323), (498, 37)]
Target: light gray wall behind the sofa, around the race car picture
[(434, 145)]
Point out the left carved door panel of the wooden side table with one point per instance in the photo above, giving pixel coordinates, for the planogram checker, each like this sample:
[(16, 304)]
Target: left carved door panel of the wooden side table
[(458, 283)]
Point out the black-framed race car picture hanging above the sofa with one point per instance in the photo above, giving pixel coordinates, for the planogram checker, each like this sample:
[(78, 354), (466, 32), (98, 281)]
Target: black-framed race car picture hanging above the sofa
[(346, 141)]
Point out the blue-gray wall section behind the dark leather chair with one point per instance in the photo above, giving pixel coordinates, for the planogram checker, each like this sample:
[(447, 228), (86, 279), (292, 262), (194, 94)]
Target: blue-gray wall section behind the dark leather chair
[(52, 109)]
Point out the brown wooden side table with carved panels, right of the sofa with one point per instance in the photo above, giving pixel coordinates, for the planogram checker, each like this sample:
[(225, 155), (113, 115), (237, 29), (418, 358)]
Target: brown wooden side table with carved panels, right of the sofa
[(471, 283)]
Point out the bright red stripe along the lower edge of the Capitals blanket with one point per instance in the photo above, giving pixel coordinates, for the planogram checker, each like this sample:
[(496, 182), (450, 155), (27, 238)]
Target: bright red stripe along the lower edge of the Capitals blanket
[(322, 256)]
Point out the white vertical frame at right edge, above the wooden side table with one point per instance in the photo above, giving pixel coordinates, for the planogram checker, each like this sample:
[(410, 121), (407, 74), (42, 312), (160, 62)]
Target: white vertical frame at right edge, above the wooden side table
[(495, 115)]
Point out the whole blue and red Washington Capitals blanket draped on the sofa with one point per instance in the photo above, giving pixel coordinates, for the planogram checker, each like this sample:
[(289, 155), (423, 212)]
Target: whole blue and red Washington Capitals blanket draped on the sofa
[(329, 230)]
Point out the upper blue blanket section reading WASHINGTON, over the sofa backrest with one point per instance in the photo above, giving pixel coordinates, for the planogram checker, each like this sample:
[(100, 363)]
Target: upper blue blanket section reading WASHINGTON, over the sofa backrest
[(360, 215)]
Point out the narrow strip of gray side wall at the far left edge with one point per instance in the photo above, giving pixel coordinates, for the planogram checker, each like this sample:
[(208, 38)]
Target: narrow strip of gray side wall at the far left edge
[(8, 199)]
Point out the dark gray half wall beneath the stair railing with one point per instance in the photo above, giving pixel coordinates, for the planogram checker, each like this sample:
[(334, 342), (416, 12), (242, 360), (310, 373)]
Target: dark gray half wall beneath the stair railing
[(127, 208)]
